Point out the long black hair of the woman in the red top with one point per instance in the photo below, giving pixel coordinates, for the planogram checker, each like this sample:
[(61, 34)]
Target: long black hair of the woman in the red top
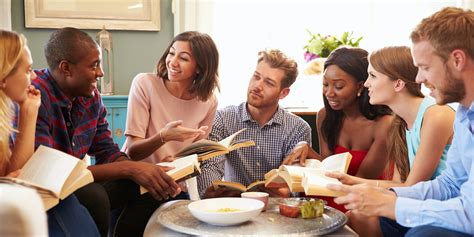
[(354, 62)]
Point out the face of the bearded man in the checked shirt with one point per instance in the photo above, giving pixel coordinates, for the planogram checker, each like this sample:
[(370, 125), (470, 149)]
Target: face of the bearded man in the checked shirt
[(265, 86)]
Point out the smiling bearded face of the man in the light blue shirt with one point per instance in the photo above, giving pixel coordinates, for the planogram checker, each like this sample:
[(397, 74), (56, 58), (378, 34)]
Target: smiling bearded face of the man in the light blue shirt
[(436, 75)]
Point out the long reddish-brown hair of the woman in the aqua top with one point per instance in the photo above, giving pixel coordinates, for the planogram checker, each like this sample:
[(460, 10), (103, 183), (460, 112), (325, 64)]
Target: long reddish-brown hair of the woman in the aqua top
[(397, 63)]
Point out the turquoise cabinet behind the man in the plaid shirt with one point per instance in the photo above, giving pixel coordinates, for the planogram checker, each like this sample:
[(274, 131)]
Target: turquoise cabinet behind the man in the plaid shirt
[(116, 116)]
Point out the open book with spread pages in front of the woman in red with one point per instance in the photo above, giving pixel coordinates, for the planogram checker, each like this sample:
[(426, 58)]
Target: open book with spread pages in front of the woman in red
[(310, 178)]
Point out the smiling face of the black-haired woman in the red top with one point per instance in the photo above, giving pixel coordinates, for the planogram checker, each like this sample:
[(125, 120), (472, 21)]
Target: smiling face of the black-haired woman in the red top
[(340, 88)]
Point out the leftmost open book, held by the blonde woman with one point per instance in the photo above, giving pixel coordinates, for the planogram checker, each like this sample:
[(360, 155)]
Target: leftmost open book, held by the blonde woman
[(54, 174)]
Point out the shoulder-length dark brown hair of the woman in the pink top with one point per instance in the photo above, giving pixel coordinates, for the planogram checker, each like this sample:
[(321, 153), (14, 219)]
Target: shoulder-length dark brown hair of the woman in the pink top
[(207, 58)]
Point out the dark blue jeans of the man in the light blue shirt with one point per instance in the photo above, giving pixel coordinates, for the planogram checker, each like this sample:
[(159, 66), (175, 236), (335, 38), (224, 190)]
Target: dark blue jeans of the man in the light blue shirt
[(391, 228)]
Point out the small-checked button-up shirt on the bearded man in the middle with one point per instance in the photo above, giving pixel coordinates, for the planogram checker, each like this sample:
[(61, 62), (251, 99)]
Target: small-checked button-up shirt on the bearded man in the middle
[(274, 141)]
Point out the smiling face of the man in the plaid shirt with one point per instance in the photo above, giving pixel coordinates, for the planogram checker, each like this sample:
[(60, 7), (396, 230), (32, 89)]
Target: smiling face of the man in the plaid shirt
[(83, 75)]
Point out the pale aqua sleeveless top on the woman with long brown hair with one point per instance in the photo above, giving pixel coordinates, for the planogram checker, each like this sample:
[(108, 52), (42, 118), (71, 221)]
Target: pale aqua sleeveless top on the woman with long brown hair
[(413, 137)]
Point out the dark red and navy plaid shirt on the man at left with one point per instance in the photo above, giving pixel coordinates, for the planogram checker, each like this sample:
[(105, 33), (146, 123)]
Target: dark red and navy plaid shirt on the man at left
[(77, 127)]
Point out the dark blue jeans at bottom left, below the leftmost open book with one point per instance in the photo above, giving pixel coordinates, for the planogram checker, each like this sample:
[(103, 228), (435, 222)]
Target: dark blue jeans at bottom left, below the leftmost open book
[(70, 218)]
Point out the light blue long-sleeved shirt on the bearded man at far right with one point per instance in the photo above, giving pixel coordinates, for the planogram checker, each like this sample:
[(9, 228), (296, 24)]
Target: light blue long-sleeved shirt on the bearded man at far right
[(448, 200)]
